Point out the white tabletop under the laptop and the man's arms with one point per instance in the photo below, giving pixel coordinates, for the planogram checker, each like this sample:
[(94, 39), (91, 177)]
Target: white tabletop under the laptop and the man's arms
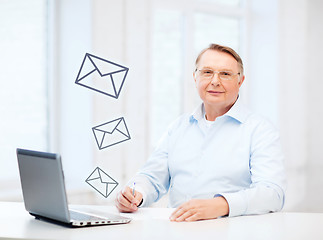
[(153, 223)]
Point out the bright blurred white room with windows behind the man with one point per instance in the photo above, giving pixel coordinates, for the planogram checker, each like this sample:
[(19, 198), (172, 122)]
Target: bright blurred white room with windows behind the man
[(43, 43)]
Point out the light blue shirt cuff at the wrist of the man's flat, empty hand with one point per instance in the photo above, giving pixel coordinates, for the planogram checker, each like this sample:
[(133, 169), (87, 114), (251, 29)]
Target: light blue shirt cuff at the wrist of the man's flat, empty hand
[(236, 202)]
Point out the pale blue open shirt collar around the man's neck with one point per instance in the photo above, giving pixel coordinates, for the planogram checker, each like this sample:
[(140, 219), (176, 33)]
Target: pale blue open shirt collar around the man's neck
[(238, 111)]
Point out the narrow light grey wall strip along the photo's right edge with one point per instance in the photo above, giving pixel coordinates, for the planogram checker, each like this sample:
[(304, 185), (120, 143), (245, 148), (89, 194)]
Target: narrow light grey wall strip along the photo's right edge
[(314, 83)]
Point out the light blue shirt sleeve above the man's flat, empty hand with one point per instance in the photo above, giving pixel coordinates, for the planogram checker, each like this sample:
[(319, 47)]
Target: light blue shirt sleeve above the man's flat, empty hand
[(268, 181)]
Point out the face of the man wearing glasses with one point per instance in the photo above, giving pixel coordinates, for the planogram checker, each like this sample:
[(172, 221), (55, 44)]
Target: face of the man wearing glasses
[(216, 92)]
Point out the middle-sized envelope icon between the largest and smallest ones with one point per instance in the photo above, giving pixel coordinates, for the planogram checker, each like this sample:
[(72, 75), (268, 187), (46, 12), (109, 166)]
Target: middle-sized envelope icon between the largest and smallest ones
[(111, 133)]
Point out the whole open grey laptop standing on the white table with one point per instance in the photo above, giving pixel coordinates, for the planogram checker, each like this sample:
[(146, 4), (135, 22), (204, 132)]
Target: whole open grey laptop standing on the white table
[(43, 188)]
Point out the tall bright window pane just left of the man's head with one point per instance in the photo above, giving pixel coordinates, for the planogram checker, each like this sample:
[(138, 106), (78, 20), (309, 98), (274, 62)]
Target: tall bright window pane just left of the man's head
[(166, 70)]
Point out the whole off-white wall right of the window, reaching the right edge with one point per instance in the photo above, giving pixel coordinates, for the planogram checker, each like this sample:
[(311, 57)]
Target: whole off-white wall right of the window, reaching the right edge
[(301, 114)]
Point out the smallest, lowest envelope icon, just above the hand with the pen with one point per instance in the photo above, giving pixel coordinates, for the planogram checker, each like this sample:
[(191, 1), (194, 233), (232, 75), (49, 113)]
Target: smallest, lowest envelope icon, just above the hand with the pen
[(101, 182)]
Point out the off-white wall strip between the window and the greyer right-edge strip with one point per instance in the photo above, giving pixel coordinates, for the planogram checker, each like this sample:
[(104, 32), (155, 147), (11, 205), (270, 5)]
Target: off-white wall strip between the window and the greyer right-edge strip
[(293, 95)]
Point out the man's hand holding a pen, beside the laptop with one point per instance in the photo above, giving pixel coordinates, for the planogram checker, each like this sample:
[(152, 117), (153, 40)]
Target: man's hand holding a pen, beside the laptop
[(126, 202)]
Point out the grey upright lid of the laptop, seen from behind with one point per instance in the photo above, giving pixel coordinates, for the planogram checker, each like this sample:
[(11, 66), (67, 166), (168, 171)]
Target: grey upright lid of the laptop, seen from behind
[(42, 182)]
